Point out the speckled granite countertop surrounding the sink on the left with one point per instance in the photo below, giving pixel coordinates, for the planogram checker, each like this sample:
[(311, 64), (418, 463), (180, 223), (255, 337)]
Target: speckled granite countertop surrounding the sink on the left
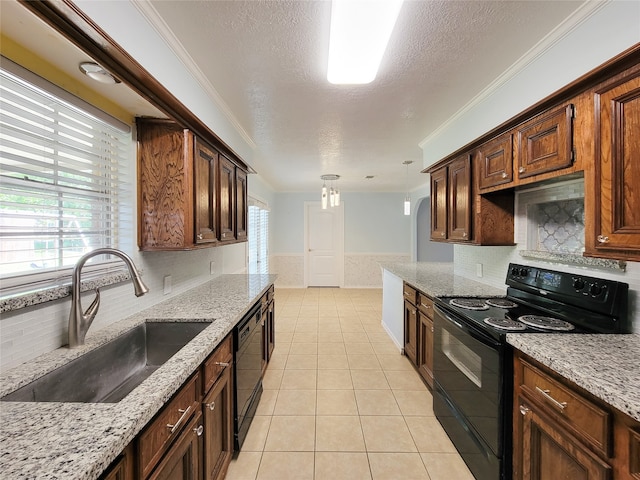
[(80, 440)]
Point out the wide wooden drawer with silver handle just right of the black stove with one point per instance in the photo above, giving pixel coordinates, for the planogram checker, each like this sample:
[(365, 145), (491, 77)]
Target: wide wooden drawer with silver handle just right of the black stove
[(583, 418)]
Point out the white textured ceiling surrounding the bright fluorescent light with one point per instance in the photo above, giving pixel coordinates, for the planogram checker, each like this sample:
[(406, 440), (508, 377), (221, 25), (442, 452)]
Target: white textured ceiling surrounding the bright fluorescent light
[(267, 61)]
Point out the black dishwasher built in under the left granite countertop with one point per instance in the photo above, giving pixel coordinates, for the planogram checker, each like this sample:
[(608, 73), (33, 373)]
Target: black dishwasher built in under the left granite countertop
[(247, 357)]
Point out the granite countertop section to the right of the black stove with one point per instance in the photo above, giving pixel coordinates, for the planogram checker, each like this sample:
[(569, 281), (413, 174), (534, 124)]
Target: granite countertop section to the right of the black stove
[(607, 366)]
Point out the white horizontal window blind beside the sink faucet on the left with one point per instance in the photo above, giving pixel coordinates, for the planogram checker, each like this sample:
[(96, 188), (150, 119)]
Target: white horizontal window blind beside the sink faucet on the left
[(62, 182)]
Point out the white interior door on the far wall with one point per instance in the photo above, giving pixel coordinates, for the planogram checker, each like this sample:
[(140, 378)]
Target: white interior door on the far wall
[(324, 242)]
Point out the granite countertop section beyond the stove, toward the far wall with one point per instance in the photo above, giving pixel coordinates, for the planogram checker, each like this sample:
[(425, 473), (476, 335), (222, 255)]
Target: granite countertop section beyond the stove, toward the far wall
[(439, 280)]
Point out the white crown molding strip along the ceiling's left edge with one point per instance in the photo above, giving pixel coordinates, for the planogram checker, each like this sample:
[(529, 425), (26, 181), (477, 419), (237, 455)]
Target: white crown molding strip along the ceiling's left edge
[(148, 11)]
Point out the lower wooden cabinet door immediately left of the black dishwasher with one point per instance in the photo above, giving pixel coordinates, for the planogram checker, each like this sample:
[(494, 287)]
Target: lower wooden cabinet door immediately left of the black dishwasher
[(218, 428)]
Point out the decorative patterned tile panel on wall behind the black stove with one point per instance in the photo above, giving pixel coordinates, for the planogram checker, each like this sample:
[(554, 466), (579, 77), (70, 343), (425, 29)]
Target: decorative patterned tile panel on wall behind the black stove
[(560, 225)]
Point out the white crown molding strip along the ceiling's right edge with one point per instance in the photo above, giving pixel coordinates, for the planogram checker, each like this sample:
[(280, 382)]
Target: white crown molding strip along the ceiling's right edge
[(577, 18)]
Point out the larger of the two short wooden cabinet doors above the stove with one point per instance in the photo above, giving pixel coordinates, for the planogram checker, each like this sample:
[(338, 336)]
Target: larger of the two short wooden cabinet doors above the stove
[(545, 143)]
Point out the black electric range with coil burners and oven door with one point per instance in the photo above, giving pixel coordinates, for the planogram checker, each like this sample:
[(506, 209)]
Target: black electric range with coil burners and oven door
[(472, 367)]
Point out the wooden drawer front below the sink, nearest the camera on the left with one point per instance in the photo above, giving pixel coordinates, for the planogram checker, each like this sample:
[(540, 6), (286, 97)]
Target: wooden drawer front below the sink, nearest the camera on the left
[(158, 436)]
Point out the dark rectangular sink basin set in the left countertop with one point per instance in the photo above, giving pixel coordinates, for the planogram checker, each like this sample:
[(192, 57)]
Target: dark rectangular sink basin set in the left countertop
[(108, 373)]
